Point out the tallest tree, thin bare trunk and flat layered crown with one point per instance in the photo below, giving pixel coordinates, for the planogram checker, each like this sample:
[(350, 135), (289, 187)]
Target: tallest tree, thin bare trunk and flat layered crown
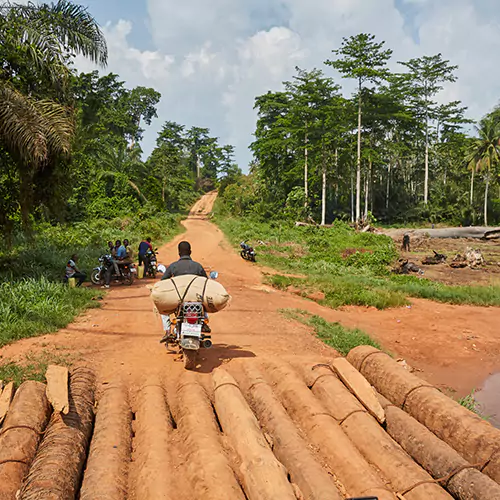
[(360, 57)]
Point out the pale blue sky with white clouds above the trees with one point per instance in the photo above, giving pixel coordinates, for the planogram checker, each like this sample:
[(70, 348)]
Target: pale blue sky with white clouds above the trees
[(210, 58)]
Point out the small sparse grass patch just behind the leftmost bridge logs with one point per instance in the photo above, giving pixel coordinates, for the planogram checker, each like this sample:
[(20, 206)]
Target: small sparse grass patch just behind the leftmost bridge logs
[(32, 368)]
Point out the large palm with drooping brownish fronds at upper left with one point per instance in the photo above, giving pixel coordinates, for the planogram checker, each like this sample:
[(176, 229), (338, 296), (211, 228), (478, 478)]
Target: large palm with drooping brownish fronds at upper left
[(37, 43)]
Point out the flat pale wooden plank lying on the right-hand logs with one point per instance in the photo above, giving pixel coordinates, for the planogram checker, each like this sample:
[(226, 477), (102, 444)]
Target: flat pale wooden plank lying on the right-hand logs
[(360, 387)]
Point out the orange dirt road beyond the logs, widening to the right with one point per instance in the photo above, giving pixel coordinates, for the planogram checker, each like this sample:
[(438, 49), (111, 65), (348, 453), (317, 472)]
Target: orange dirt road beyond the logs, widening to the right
[(454, 346)]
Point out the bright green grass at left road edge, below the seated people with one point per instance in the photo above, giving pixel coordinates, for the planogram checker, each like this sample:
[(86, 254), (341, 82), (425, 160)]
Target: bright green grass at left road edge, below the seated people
[(32, 307)]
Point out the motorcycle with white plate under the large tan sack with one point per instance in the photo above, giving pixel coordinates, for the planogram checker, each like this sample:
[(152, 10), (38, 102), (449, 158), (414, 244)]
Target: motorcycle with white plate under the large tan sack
[(188, 330)]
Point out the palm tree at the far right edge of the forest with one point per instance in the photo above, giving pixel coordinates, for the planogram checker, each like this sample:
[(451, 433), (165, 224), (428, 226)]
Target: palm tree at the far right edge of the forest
[(484, 154)]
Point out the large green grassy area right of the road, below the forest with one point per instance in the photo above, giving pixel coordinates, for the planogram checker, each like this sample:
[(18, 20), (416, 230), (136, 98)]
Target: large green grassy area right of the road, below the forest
[(349, 268)]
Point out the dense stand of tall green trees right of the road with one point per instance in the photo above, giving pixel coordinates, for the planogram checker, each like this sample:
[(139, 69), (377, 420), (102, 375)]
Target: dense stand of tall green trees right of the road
[(393, 151)]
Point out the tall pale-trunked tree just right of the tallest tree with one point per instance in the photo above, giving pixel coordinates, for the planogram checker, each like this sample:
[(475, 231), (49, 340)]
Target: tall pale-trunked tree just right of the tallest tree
[(424, 81)]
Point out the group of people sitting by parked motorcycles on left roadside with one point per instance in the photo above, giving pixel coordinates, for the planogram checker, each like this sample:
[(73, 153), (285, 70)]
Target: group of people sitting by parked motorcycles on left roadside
[(121, 254)]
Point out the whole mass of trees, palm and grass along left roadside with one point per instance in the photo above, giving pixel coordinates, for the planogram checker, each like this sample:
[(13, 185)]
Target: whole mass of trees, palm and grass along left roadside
[(72, 173)]
